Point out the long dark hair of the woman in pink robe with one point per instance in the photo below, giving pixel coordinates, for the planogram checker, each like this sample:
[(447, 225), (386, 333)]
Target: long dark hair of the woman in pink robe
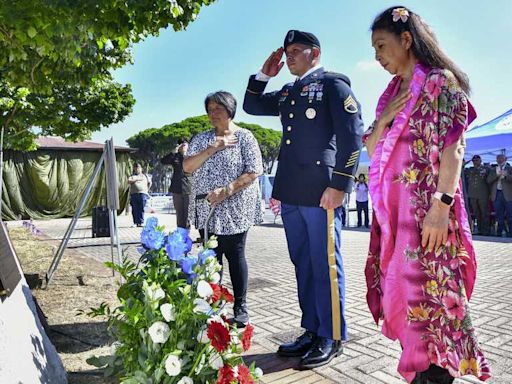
[(425, 45)]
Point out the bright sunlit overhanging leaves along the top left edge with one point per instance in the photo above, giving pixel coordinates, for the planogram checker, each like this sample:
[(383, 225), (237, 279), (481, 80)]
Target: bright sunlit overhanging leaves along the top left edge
[(42, 41)]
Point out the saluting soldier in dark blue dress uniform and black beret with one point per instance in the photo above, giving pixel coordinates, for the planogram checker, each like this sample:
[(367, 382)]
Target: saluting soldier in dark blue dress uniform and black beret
[(322, 130)]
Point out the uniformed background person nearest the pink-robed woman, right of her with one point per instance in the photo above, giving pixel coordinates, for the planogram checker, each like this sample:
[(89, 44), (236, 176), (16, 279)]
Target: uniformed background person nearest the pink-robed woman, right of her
[(478, 193)]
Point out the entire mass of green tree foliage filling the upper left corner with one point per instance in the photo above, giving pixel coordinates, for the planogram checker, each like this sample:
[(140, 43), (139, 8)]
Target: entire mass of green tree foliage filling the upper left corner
[(56, 58)]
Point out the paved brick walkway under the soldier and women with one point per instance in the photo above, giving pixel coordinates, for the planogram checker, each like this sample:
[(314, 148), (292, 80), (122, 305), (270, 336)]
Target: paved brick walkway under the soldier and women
[(368, 357)]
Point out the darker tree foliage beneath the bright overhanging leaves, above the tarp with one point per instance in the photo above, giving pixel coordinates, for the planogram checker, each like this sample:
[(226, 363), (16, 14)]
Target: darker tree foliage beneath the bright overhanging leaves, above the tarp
[(72, 112)]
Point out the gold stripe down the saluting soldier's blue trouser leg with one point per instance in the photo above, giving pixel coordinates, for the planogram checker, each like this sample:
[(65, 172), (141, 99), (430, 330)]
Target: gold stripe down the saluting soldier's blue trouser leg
[(333, 274)]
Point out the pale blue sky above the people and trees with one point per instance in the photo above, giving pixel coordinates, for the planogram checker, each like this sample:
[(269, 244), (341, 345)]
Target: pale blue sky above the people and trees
[(230, 40)]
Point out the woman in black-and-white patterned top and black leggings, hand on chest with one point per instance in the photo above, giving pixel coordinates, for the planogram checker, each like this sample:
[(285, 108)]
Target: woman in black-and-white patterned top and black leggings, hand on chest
[(226, 162)]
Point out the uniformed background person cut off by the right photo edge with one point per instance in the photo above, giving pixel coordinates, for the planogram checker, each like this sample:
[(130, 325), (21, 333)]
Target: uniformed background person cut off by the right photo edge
[(500, 180)]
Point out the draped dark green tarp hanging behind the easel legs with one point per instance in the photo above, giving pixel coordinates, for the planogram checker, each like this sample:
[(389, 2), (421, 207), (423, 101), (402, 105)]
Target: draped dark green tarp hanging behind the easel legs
[(48, 184)]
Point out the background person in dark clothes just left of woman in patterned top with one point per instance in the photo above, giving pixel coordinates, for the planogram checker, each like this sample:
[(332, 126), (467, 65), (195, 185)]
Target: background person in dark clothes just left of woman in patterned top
[(180, 183)]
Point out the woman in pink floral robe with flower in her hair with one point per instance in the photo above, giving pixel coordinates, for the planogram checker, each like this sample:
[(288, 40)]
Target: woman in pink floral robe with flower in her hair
[(421, 265)]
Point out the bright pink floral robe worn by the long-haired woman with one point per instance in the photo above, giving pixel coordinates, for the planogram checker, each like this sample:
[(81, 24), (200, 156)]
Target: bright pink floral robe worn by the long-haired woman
[(422, 297)]
